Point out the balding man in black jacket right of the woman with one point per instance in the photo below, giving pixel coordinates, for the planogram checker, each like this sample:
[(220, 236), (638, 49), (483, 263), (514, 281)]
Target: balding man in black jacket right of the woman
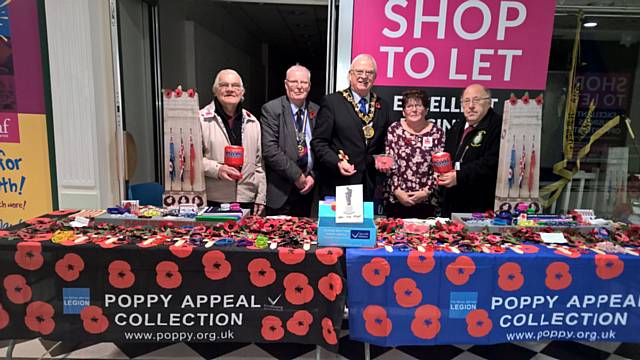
[(474, 146)]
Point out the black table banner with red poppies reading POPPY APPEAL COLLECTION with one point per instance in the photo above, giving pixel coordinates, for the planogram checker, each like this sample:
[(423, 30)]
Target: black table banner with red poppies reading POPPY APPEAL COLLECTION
[(169, 294)]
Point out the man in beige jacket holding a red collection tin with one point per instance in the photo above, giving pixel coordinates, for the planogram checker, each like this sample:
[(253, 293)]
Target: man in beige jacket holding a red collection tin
[(224, 122)]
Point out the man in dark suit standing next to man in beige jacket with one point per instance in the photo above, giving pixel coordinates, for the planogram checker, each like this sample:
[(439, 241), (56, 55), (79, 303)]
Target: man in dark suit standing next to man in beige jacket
[(287, 124)]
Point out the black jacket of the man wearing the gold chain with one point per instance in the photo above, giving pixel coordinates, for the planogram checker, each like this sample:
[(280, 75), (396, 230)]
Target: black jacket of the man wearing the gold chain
[(338, 127)]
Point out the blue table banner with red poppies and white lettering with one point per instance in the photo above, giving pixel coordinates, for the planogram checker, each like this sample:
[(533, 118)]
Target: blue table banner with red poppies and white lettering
[(535, 294)]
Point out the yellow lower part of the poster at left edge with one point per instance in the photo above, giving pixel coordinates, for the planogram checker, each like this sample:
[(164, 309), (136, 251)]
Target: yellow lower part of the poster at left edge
[(25, 182)]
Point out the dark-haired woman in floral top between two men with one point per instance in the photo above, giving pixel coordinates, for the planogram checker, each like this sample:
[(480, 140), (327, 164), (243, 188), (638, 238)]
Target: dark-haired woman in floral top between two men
[(411, 186)]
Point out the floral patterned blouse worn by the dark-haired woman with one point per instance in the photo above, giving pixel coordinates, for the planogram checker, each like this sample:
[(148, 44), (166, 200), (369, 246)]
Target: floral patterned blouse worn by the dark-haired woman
[(412, 169)]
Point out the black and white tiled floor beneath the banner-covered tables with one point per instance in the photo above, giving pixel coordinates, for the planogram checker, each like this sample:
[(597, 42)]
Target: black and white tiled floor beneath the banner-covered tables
[(34, 349)]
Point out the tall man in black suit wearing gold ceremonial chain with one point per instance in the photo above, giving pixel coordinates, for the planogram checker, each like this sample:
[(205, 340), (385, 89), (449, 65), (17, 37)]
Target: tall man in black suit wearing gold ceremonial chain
[(351, 128)]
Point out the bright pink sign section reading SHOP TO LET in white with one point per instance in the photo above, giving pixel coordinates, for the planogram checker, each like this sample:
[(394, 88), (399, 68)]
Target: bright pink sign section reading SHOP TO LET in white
[(452, 43)]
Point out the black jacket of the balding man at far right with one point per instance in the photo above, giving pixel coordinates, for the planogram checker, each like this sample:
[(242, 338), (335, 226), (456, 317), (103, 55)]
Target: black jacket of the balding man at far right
[(478, 156)]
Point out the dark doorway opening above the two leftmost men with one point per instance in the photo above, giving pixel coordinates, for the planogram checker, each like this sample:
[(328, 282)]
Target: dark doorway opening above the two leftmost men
[(259, 40)]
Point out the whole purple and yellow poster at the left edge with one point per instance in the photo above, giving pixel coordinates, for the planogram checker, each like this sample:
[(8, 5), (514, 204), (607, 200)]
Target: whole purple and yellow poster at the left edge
[(25, 178)]
